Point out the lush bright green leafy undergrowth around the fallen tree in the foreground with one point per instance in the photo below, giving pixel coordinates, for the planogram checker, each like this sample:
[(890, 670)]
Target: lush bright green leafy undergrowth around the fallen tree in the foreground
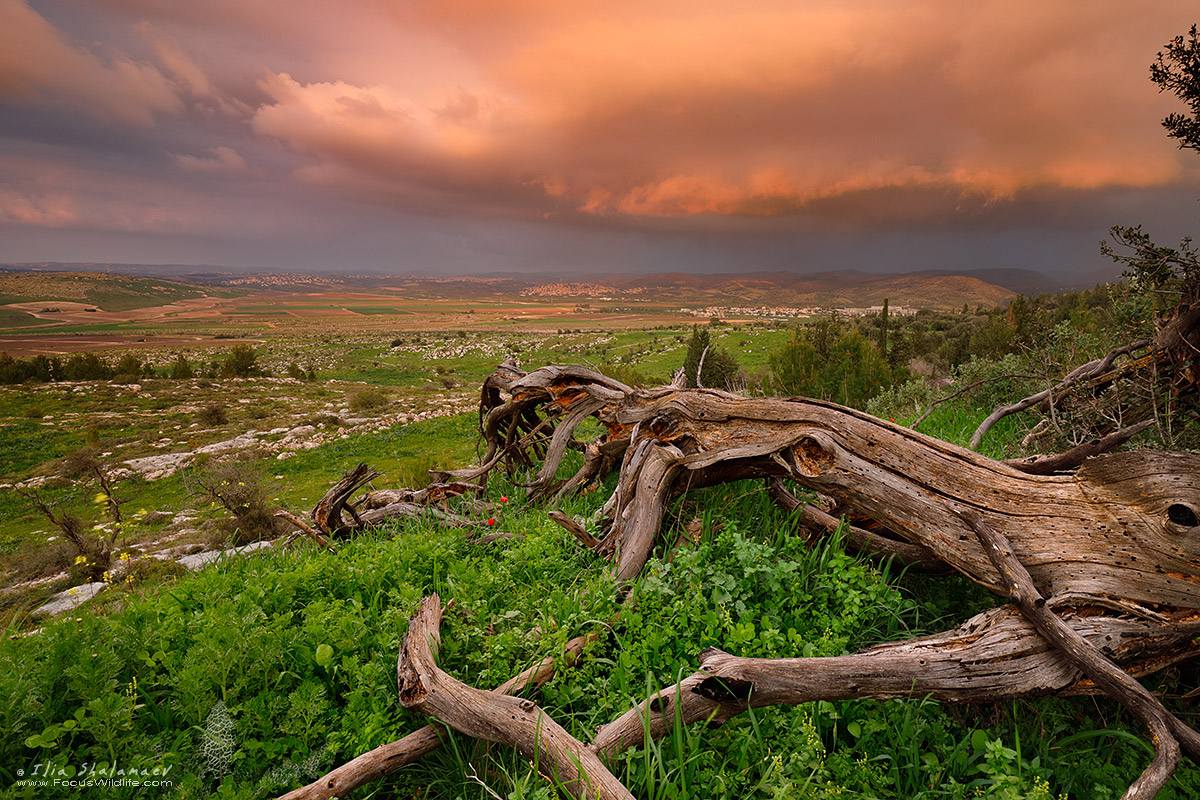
[(179, 679)]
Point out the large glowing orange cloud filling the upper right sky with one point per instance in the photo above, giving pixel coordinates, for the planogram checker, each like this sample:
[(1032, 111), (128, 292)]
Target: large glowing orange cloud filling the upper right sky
[(677, 110)]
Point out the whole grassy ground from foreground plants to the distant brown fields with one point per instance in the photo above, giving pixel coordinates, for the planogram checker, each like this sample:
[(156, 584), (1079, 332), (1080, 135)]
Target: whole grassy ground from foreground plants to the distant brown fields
[(261, 672)]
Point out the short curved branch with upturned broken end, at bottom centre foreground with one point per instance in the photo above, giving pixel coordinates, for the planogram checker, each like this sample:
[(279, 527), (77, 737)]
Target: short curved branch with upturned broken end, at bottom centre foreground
[(496, 718)]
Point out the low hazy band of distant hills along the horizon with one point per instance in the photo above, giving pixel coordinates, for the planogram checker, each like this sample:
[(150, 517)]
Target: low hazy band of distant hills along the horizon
[(839, 290)]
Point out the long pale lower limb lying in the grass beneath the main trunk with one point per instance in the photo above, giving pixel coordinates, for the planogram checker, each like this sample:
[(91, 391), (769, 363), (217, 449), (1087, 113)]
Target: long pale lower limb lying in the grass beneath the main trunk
[(997, 655)]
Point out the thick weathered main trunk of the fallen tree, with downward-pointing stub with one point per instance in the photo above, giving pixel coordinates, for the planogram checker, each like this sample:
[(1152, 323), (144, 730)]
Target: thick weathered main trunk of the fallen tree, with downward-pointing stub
[(1102, 536)]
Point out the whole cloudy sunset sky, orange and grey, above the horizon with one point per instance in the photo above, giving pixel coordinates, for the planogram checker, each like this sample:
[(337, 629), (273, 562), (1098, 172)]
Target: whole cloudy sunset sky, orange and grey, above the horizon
[(451, 137)]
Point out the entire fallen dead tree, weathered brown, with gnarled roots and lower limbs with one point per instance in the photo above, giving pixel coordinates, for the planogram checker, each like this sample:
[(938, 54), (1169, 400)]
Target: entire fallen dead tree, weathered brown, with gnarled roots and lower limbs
[(1102, 564)]
